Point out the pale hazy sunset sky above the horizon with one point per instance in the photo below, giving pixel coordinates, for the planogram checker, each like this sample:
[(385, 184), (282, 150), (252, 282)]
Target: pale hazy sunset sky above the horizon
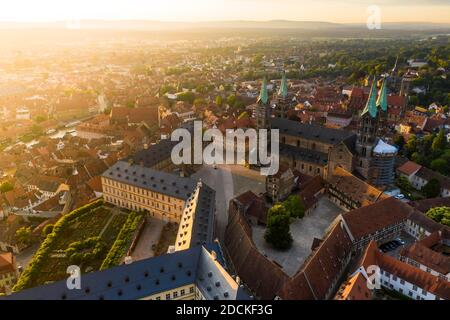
[(207, 10)]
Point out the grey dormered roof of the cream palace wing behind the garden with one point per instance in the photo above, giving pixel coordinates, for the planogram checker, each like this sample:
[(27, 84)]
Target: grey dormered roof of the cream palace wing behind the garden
[(149, 179)]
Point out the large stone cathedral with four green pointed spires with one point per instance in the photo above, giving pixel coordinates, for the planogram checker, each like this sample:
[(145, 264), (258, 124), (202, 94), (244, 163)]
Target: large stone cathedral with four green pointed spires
[(317, 150)]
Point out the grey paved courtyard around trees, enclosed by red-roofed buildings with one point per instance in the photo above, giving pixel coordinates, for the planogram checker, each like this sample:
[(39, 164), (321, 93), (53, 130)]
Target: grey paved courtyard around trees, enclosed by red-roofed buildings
[(303, 232)]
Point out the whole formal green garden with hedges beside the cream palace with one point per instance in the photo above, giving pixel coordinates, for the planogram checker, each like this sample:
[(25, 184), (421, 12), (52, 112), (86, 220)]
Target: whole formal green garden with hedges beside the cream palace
[(93, 237)]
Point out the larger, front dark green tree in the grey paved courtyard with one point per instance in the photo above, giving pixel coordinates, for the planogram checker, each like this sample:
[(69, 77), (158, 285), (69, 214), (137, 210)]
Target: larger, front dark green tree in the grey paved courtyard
[(277, 232)]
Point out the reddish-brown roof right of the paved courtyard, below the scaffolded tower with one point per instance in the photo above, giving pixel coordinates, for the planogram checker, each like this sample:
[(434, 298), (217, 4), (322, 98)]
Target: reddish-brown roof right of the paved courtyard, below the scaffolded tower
[(375, 217)]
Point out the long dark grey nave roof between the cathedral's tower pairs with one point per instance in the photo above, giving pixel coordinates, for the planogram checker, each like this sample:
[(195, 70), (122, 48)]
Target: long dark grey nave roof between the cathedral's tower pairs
[(310, 131)]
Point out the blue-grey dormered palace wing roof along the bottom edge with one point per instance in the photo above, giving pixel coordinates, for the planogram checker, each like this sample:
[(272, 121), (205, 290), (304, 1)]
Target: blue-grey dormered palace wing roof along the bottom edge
[(145, 278)]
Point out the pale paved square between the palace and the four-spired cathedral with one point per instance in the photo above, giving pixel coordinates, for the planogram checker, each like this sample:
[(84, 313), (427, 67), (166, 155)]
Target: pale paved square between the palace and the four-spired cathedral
[(229, 181)]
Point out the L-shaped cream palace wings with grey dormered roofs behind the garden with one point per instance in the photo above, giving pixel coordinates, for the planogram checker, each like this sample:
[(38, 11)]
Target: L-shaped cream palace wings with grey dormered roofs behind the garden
[(163, 196)]
